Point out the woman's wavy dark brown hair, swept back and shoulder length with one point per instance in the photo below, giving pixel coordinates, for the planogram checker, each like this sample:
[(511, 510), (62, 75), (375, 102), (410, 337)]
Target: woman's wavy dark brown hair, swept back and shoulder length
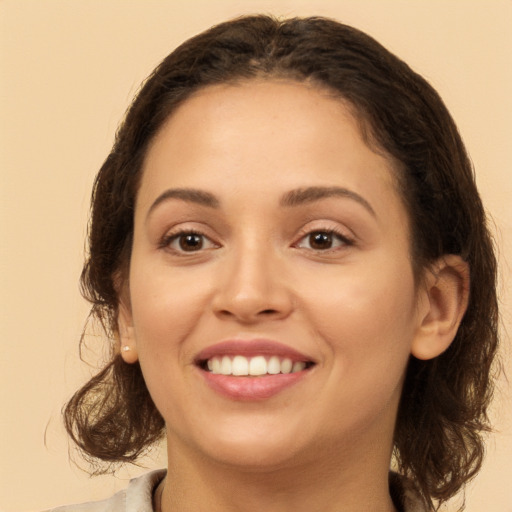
[(443, 410)]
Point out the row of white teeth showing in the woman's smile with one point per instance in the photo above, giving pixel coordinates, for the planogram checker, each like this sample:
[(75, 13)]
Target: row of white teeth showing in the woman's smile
[(254, 366)]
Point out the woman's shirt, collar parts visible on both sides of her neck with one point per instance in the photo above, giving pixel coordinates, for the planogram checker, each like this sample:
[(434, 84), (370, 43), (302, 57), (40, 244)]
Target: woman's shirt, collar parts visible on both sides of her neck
[(138, 496)]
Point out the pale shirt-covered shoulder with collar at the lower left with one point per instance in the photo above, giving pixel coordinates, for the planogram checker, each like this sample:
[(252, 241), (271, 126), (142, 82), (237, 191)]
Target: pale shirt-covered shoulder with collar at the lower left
[(137, 497)]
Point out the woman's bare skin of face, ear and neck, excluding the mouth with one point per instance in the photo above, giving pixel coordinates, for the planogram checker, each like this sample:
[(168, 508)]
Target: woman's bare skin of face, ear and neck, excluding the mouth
[(354, 309)]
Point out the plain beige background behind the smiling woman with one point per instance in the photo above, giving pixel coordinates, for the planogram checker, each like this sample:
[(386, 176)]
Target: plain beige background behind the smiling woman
[(68, 71)]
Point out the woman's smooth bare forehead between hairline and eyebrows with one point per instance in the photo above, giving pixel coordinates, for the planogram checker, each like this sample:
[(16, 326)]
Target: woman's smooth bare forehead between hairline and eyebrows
[(264, 135)]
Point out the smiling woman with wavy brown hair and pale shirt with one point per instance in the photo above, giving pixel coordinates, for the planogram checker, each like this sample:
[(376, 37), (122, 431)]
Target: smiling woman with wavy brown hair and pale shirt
[(289, 253)]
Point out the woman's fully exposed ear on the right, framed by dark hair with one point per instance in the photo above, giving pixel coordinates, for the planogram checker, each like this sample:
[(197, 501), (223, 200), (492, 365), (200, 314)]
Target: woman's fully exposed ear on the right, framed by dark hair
[(446, 287)]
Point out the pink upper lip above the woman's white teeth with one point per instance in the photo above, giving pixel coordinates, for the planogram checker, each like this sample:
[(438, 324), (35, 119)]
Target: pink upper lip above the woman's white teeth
[(251, 348)]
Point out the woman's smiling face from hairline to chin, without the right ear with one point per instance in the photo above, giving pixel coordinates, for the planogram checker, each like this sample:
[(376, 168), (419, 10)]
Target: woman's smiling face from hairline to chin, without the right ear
[(271, 299)]
